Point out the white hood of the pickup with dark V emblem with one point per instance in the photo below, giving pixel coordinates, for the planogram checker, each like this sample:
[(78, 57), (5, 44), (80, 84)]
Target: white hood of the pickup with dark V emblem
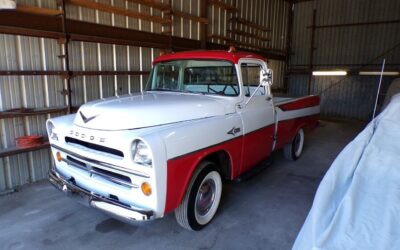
[(148, 109)]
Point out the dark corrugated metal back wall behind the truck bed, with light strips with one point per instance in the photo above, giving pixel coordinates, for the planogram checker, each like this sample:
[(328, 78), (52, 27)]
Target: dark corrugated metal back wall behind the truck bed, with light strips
[(346, 47)]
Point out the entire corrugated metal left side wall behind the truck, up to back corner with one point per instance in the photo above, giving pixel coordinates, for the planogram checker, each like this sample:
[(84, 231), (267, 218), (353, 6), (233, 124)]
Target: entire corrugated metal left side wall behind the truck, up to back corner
[(30, 53)]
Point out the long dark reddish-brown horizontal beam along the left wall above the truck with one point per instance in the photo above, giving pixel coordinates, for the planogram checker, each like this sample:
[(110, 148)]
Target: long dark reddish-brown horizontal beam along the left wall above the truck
[(13, 22)]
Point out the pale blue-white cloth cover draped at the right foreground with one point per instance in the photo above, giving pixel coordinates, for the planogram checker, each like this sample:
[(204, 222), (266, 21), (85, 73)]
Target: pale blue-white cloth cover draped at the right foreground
[(357, 204)]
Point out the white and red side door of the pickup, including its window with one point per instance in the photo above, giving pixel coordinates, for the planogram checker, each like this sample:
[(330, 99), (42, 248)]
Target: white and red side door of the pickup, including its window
[(258, 115)]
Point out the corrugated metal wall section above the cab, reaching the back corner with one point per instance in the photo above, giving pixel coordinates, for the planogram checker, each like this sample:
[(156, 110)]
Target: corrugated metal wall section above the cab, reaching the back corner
[(272, 14)]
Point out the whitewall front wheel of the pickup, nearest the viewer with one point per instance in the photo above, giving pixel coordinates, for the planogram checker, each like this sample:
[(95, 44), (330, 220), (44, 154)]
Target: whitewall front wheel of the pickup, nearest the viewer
[(202, 198)]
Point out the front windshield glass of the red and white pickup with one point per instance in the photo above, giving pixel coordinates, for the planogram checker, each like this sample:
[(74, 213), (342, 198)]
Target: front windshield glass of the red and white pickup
[(195, 76)]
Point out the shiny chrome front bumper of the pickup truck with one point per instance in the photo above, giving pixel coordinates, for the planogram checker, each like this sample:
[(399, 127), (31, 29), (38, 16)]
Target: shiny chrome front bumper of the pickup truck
[(111, 207)]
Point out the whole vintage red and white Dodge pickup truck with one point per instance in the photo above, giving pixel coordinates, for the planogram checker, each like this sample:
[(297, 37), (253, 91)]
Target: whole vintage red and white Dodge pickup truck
[(204, 116)]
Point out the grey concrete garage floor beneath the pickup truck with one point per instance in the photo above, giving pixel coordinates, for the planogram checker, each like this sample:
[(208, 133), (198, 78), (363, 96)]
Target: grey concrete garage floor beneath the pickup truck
[(264, 212)]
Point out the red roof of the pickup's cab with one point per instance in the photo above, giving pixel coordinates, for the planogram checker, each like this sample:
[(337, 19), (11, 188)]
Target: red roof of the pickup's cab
[(208, 54)]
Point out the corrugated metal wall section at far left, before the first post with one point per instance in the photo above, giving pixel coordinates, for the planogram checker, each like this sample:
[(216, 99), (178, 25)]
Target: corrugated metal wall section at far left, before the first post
[(27, 53)]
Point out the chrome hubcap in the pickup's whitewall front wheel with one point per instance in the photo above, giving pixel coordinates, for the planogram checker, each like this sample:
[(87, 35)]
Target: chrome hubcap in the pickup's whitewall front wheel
[(205, 197)]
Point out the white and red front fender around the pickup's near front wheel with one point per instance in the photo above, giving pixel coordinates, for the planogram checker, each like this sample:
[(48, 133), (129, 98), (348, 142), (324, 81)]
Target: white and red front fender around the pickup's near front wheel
[(186, 149)]
